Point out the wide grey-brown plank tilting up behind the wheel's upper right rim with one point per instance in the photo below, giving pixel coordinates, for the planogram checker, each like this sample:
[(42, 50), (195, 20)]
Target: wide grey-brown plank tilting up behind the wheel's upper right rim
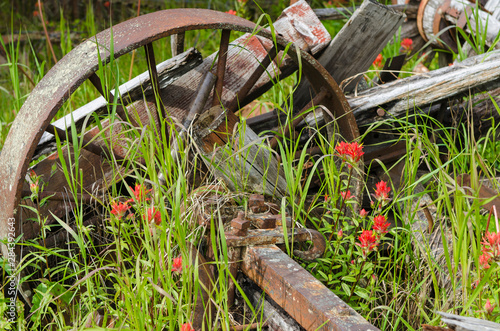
[(356, 46)]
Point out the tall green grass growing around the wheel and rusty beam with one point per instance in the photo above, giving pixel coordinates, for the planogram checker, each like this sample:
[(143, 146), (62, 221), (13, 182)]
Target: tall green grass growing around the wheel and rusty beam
[(122, 266)]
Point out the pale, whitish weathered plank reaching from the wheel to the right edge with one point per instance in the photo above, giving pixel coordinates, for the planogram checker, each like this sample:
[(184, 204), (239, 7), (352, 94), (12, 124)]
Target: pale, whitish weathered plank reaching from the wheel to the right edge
[(479, 73)]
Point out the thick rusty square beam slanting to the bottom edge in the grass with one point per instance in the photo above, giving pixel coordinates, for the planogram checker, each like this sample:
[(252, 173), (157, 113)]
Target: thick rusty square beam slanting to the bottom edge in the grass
[(305, 298)]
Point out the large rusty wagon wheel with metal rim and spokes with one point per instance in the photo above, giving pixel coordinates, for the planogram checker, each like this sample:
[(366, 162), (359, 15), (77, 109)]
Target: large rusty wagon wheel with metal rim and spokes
[(83, 62)]
